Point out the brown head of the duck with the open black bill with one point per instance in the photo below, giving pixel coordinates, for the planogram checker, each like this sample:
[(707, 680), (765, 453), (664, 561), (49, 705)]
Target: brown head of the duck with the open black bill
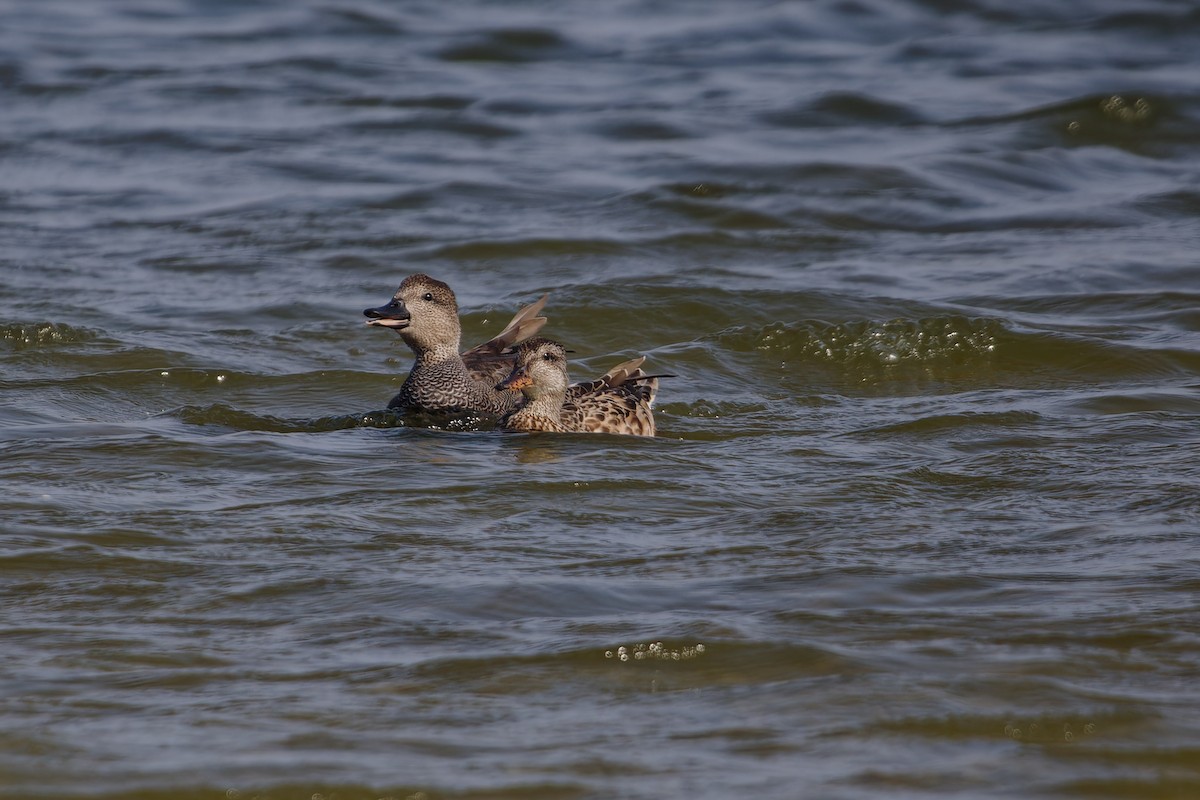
[(425, 312)]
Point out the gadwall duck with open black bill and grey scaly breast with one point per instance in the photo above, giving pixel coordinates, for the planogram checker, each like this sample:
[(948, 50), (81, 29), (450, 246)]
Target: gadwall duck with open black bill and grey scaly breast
[(425, 314)]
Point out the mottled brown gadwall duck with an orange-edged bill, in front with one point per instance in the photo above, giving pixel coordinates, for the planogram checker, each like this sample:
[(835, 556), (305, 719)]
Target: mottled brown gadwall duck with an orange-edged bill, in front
[(619, 402)]
